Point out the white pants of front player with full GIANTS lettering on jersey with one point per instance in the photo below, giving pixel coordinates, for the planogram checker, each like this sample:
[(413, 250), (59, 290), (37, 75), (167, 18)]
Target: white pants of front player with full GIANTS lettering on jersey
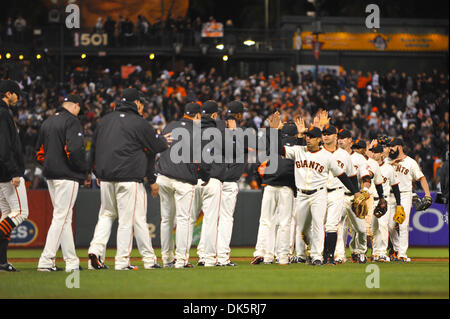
[(311, 210)]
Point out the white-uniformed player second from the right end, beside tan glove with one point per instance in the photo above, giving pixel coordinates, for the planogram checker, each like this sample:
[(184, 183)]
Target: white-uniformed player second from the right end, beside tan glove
[(380, 225)]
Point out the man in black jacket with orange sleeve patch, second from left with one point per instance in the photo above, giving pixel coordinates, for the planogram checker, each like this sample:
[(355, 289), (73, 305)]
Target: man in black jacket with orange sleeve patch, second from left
[(60, 148)]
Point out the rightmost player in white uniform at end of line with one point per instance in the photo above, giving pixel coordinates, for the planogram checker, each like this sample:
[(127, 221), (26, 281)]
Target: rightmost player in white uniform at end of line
[(408, 172)]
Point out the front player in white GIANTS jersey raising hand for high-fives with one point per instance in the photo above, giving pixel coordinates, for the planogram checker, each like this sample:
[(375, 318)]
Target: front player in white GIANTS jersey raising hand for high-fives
[(312, 167)]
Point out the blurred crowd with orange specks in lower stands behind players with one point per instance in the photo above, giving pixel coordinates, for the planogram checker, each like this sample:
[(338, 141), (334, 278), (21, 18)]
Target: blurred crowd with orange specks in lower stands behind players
[(412, 106)]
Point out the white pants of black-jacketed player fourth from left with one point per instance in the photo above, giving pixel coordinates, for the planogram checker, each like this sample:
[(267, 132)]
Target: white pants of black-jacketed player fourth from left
[(177, 200)]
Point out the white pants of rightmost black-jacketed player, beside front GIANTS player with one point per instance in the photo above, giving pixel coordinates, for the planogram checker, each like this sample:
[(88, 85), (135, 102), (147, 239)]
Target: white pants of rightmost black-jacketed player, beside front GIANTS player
[(276, 209)]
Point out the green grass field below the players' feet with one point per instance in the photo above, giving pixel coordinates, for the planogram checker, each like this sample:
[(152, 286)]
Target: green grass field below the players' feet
[(418, 279)]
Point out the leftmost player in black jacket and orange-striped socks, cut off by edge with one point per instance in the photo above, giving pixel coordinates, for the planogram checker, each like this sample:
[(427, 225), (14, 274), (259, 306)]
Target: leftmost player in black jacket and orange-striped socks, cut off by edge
[(13, 196)]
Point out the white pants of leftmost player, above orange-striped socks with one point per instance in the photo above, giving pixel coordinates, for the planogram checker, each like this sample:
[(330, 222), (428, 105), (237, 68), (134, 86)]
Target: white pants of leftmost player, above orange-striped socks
[(14, 202)]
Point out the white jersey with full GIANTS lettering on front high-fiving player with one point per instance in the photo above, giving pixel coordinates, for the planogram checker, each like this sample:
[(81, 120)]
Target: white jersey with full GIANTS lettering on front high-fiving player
[(312, 168)]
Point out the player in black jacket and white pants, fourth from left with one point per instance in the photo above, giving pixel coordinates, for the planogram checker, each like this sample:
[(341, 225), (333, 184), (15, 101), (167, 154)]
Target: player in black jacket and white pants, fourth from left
[(177, 177)]
